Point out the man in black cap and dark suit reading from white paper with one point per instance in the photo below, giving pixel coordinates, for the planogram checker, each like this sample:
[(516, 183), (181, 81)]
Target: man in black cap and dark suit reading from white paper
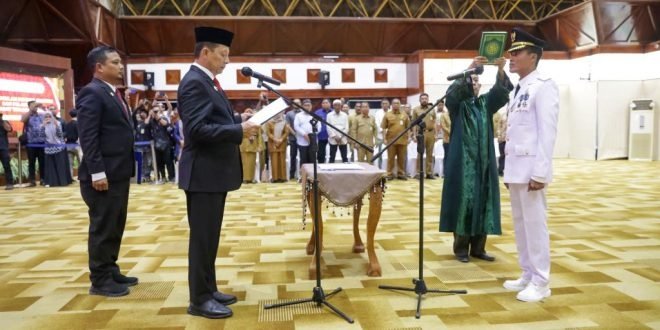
[(210, 165)]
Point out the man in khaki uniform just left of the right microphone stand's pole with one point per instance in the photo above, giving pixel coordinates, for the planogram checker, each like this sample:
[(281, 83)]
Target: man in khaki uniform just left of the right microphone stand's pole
[(394, 122)]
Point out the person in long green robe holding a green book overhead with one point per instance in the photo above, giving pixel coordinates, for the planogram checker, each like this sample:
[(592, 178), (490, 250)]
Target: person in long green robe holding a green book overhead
[(470, 195)]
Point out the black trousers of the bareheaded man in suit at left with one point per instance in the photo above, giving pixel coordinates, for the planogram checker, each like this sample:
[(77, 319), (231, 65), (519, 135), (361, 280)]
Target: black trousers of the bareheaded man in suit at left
[(107, 219)]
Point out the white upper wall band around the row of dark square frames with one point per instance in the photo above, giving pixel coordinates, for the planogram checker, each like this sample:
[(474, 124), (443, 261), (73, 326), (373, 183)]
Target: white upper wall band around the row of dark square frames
[(296, 74)]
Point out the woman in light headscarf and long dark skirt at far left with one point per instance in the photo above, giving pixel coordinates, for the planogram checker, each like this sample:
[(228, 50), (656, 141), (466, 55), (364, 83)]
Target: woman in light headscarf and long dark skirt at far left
[(56, 164)]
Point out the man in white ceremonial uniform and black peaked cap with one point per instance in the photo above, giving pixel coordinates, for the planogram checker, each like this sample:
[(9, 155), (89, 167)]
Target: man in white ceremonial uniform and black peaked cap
[(531, 133)]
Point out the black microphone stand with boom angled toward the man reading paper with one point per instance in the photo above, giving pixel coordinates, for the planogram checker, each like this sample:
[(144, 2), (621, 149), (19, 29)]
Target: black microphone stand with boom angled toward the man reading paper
[(318, 295)]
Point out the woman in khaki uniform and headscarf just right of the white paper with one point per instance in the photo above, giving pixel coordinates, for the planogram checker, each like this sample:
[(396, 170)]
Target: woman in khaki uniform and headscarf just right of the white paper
[(278, 131)]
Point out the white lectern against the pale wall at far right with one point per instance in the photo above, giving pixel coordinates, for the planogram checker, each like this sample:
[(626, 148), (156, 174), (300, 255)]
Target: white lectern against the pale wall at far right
[(642, 121)]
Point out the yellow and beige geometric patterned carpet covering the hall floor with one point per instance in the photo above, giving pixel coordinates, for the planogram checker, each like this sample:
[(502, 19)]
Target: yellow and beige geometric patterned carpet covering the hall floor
[(605, 236)]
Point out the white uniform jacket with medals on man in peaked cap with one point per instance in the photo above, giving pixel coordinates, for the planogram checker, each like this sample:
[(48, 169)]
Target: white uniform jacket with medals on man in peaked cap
[(531, 130)]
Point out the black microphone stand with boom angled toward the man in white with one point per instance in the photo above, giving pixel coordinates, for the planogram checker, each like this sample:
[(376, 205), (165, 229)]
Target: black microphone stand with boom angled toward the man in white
[(420, 286)]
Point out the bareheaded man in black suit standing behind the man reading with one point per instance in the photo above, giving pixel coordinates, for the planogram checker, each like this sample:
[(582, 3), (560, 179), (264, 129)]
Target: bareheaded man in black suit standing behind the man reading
[(106, 137)]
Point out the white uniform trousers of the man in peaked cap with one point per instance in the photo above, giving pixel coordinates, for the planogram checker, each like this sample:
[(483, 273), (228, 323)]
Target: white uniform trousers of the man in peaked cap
[(530, 222)]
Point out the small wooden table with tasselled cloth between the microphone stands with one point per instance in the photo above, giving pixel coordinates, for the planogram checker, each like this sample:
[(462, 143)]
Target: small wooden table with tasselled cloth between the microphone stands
[(347, 187)]
